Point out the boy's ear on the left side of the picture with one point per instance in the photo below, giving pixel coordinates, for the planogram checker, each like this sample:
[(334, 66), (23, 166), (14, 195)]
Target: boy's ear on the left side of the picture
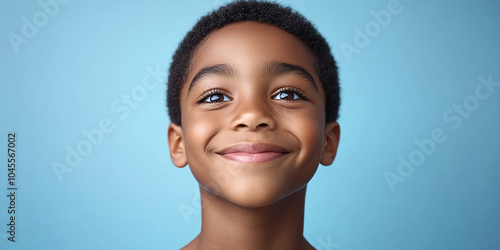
[(176, 145)]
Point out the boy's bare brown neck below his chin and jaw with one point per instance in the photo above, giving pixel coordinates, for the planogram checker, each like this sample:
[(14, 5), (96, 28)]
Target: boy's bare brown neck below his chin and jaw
[(226, 225)]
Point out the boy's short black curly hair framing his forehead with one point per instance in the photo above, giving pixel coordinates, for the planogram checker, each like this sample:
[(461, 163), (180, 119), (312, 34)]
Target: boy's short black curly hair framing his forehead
[(258, 11)]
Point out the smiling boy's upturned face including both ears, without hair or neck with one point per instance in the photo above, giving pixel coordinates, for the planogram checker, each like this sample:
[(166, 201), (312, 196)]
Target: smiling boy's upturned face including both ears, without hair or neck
[(253, 115)]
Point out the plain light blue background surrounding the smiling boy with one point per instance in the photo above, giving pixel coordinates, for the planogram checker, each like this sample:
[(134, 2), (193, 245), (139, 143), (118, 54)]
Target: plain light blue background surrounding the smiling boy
[(126, 194)]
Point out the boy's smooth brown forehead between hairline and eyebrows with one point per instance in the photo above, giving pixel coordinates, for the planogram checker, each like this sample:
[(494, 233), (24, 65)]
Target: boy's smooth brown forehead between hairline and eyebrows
[(250, 45)]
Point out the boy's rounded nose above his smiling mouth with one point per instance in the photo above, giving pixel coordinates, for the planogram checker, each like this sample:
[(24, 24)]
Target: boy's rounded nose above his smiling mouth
[(253, 114)]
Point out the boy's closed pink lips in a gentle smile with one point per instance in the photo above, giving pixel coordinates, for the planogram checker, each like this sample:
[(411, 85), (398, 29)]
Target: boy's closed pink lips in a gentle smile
[(253, 152)]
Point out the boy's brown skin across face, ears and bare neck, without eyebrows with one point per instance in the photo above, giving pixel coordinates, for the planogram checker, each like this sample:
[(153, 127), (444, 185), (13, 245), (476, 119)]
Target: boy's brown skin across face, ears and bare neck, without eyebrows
[(252, 194)]
